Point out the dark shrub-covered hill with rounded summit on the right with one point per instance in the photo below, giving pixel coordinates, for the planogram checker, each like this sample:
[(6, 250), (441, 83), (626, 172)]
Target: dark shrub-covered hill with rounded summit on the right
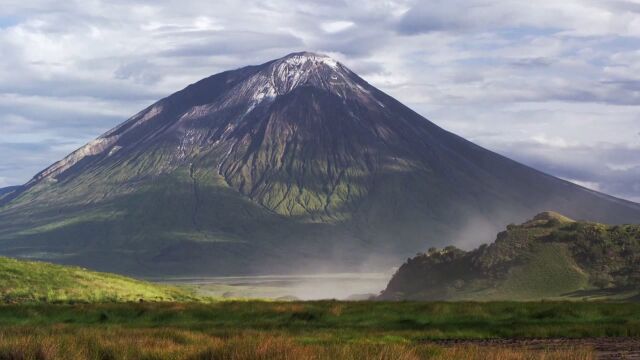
[(548, 257)]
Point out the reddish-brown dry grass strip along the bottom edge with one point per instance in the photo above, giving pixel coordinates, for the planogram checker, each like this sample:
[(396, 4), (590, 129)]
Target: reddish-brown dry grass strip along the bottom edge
[(76, 343)]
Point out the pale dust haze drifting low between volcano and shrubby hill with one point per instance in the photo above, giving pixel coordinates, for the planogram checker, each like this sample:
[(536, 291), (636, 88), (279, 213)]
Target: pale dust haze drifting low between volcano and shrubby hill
[(332, 278)]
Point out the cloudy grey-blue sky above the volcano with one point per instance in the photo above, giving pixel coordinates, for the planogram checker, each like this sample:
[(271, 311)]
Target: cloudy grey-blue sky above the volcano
[(552, 84)]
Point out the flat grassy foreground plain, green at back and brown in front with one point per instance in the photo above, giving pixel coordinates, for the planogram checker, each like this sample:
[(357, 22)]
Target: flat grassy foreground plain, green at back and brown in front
[(317, 330)]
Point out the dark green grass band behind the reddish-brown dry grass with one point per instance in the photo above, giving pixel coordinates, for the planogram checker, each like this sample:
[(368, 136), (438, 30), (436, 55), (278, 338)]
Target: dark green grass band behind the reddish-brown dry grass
[(334, 321)]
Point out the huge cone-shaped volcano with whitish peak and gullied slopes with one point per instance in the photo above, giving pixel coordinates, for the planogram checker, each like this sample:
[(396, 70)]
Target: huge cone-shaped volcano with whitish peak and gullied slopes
[(294, 164)]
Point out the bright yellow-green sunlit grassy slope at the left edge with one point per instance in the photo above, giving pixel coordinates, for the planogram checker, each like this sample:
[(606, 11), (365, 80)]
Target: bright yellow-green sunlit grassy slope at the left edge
[(31, 282)]
